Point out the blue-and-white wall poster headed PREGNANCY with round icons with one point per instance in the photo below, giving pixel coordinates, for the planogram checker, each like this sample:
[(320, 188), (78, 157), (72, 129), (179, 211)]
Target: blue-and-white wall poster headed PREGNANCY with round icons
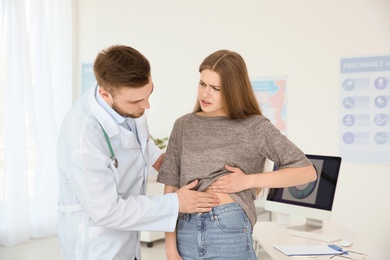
[(365, 109)]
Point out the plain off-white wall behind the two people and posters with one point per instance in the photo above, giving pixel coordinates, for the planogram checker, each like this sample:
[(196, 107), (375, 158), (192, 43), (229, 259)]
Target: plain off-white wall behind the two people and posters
[(302, 39)]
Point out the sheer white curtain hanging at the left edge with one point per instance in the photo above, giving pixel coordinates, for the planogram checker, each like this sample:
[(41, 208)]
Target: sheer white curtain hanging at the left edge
[(36, 44)]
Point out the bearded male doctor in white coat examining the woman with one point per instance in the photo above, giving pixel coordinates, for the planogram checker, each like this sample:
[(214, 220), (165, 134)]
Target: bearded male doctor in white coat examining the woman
[(104, 154)]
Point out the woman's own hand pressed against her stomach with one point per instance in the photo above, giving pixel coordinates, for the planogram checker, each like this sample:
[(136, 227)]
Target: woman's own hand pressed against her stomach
[(233, 182)]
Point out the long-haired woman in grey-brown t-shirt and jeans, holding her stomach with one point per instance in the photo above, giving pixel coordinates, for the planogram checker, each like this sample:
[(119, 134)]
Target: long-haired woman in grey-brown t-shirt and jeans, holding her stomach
[(224, 144)]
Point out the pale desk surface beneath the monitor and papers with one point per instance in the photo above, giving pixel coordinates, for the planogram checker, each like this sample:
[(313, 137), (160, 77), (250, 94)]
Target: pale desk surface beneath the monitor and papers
[(267, 234)]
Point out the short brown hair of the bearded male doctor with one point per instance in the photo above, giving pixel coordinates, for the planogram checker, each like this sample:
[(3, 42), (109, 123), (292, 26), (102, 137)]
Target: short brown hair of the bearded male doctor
[(121, 66)]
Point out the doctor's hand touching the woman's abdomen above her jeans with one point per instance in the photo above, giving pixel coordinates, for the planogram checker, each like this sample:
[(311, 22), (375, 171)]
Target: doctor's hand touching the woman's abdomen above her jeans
[(191, 201)]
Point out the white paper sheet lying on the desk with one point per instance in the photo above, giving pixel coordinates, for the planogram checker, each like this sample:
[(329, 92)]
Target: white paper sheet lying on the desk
[(307, 250)]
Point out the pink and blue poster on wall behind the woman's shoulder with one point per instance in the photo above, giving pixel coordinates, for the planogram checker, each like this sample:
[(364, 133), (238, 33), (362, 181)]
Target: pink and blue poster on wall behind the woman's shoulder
[(270, 93)]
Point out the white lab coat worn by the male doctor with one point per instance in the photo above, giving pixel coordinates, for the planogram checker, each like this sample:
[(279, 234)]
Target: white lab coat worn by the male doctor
[(103, 208)]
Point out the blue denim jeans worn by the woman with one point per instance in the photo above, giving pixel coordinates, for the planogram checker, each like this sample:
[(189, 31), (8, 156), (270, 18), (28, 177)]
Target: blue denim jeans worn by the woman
[(223, 233)]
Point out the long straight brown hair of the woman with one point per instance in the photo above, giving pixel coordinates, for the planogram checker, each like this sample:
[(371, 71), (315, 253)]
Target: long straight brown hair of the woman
[(238, 98)]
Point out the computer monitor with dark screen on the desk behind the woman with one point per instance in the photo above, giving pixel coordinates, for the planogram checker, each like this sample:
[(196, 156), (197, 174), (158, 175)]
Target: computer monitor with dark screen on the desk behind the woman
[(314, 200)]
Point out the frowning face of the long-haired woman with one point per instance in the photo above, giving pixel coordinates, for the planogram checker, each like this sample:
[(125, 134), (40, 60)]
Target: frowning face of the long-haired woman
[(209, 94)]
